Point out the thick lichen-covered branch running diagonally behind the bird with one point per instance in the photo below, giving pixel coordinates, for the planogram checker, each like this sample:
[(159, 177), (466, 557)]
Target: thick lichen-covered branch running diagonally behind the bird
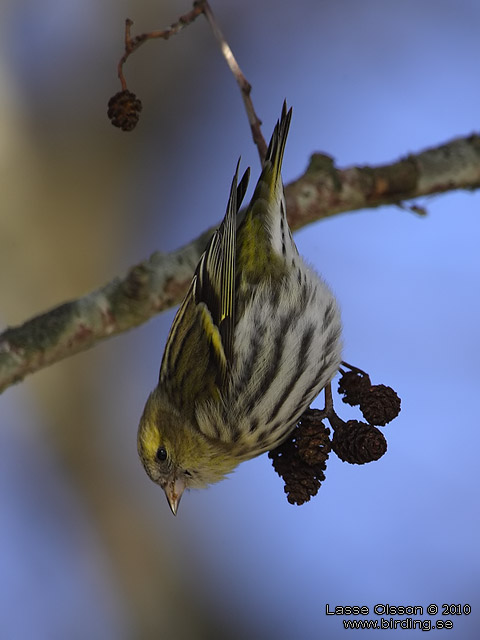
[(161, 281)]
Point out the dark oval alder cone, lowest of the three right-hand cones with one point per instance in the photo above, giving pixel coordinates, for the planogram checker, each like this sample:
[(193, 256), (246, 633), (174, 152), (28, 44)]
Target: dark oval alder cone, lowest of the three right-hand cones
[(358, 443)]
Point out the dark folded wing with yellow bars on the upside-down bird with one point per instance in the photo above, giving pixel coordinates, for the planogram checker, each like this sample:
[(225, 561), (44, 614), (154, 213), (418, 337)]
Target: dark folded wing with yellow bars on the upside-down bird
[(201, 337)]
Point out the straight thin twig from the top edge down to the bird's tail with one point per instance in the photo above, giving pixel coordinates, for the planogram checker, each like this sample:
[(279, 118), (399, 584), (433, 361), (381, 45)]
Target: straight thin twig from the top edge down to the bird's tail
[(244, 86)]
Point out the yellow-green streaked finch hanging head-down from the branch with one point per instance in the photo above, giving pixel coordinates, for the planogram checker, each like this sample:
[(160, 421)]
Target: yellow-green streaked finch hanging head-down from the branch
[(255, 340)]
